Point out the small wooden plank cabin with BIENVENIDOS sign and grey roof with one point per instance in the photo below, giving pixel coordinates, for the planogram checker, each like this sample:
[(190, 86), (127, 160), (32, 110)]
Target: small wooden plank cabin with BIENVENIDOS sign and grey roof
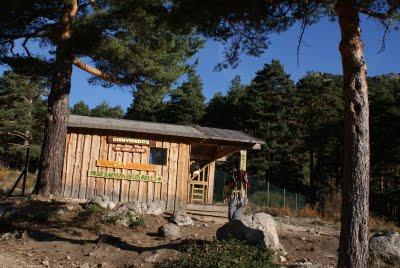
[(134, 160)]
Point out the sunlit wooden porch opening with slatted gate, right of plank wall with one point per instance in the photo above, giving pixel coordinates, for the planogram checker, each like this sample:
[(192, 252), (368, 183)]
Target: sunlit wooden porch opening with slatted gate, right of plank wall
[(201, 185)]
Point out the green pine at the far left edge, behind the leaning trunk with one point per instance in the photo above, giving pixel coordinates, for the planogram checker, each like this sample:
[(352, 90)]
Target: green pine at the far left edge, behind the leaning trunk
[(21, 109)]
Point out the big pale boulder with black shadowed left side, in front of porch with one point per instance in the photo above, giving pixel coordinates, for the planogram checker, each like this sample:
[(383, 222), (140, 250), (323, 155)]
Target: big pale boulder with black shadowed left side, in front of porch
[(257, 229)]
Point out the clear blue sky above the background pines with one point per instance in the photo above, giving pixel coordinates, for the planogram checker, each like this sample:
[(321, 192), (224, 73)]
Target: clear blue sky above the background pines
[(320, 53)]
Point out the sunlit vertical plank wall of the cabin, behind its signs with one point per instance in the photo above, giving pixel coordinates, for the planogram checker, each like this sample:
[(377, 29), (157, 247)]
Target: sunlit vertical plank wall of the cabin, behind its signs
[(82, 151)]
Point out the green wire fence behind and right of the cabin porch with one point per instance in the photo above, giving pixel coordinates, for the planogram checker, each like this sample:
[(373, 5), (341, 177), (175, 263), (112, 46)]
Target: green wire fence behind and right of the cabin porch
[(263, 193)]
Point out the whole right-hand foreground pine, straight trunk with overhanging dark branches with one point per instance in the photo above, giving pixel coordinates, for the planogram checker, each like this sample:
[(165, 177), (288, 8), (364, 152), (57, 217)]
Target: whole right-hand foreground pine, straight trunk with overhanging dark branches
[(245, 25)]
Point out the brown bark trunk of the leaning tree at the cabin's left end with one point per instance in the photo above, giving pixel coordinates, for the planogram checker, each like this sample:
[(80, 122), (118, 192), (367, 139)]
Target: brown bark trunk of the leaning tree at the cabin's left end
[(52, 154)]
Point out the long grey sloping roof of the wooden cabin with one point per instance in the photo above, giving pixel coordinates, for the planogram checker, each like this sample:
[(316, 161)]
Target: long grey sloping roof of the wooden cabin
[(184, 131)]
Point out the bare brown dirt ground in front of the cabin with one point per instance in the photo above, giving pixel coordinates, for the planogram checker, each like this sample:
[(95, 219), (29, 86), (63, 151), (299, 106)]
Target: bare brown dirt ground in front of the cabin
[(75, 238)]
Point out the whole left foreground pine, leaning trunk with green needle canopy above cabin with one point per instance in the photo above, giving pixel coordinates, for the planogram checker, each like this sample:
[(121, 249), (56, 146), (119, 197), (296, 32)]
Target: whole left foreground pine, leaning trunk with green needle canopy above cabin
[(123, 42)]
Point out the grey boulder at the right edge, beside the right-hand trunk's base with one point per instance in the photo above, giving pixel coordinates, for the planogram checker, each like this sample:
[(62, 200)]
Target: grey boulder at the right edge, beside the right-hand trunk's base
[(385, 250)]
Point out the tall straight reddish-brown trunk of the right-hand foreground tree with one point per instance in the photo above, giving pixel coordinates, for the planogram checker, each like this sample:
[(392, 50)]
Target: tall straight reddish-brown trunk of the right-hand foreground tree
[(353, 248)]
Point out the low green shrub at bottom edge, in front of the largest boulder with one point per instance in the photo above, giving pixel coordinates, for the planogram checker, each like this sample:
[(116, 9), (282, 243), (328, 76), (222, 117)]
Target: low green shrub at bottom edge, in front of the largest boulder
[(223, 254)]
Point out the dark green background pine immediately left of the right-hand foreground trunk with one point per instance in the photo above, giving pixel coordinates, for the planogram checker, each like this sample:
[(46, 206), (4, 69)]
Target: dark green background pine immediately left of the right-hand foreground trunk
[(319, 106)]
